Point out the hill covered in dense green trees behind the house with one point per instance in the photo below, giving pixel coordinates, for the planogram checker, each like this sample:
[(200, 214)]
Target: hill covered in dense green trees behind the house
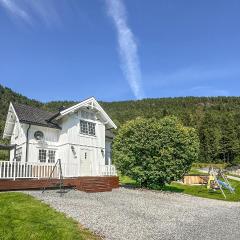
[(217, 119)]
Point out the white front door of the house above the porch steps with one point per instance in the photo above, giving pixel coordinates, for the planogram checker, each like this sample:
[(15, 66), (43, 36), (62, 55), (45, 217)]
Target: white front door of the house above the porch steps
[(85, 162)]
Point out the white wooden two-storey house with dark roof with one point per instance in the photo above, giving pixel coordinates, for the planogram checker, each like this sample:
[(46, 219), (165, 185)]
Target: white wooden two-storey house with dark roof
[(80, 136)]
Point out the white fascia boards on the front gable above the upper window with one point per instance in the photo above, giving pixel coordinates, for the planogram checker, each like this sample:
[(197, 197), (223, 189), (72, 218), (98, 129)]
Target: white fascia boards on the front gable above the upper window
[(84, 103)]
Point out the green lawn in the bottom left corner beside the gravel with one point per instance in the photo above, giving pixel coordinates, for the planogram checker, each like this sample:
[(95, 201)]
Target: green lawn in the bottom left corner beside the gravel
[(24, 218)]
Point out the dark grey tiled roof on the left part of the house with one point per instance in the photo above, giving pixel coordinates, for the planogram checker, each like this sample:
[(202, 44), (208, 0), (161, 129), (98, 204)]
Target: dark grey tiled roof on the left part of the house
[(35, 116)]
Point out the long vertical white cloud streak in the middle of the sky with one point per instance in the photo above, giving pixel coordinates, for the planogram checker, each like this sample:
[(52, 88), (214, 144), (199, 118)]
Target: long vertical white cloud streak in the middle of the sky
[(128, 49)]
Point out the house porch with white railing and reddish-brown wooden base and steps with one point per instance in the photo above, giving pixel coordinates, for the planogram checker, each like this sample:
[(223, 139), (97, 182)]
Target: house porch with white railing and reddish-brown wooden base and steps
[(20, 176)]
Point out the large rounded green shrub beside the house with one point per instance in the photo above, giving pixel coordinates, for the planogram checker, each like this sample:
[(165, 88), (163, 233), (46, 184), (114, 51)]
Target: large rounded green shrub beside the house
[(155, 152)]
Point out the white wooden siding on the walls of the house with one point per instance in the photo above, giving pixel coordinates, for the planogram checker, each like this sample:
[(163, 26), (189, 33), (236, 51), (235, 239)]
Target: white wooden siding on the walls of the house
[(64, 141)]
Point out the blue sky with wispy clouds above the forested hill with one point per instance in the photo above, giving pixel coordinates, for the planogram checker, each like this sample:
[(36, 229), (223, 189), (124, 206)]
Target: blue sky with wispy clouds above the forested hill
[(119, 50)]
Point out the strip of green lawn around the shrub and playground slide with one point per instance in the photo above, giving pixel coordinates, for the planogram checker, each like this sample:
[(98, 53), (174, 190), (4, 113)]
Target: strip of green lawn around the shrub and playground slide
[(195, 190)]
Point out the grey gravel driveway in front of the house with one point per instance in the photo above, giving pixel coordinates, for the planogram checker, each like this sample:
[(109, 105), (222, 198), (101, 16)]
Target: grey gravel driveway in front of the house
[(142, 214)]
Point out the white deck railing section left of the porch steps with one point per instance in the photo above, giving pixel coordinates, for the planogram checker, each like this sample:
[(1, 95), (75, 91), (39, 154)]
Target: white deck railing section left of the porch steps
[(13, 170)]
